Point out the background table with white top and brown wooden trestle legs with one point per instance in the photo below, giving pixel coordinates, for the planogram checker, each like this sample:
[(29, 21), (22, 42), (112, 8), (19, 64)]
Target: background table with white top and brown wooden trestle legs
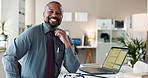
[(88, 53)]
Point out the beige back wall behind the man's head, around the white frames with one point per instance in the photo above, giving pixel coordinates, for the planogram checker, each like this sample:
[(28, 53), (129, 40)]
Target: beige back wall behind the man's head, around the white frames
[(114, 9)]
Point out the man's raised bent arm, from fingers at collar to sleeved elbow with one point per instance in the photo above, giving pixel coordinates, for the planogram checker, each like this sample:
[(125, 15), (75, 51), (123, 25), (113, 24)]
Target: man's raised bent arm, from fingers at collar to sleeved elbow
[(71, 61)]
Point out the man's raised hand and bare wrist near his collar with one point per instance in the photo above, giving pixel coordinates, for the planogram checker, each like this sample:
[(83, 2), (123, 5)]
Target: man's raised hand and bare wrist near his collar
[(63, 37)]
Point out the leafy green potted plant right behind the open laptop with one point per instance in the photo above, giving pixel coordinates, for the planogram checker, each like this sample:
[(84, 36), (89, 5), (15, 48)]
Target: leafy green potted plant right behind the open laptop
[(137, 48)]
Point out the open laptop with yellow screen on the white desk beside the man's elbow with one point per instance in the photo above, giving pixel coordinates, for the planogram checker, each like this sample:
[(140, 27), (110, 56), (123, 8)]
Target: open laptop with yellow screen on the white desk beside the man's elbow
[(112, 63)]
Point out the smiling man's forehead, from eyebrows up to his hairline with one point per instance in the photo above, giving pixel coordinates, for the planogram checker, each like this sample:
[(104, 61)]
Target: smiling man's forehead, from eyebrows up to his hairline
[(54, 6)]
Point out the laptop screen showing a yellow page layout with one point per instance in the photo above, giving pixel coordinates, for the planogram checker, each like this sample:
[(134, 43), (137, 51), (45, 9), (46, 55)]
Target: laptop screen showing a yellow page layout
[(115, 59)]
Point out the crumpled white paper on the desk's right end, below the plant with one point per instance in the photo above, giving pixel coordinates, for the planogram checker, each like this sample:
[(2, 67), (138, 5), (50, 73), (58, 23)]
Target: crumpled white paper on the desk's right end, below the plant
[(140, 67)]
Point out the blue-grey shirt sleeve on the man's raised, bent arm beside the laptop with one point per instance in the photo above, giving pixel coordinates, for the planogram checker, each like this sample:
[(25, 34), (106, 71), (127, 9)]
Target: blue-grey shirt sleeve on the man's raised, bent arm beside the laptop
[(71, 60)]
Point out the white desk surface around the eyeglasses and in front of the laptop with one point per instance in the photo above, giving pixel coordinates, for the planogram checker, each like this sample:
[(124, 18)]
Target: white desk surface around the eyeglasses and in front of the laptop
[(124, 69)]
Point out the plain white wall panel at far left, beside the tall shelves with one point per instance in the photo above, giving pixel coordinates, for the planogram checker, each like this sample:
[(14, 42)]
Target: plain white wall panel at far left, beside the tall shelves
[(9, 13)]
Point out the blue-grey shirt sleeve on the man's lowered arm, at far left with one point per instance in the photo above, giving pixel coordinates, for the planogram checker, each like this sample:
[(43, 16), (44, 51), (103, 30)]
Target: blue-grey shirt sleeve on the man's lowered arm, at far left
[(13, 54)]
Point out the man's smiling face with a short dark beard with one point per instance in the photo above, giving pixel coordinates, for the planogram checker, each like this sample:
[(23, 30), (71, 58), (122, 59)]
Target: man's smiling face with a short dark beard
[(53, 15)]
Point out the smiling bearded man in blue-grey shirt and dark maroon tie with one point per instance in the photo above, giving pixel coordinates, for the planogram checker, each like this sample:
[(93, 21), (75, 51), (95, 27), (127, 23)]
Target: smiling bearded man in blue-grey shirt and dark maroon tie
[(32, 48)]
